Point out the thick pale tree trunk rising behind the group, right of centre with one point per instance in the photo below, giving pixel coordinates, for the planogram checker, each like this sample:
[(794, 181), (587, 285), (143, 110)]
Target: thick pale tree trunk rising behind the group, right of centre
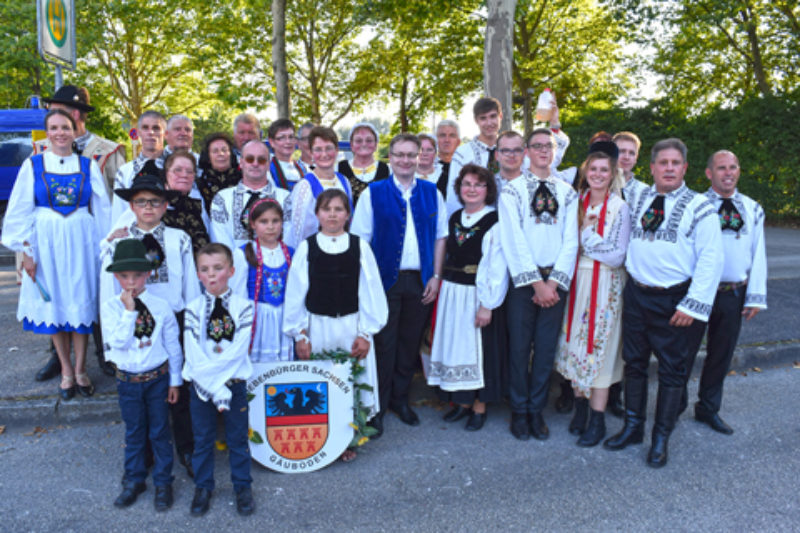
[(498, 55)]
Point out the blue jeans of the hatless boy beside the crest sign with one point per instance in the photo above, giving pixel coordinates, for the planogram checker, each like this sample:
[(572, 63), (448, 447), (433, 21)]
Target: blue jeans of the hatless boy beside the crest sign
[(204, 426)]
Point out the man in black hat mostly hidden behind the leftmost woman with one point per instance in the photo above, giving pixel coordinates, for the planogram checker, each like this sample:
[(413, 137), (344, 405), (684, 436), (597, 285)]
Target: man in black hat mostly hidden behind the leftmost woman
[(109, 156)]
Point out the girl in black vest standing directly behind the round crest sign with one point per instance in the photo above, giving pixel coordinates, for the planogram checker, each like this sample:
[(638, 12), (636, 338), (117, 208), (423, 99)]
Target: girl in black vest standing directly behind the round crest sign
[(334, 295)]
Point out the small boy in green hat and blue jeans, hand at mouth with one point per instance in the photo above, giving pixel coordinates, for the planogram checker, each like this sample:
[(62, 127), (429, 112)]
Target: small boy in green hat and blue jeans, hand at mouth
[(141, 339)]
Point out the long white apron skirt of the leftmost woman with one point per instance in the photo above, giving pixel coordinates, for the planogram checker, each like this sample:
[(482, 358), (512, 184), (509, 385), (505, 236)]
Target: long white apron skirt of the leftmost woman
[(67, 268)]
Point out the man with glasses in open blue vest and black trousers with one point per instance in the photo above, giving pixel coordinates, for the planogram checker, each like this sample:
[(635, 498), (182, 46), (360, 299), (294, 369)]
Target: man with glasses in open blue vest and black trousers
[(405, 221)]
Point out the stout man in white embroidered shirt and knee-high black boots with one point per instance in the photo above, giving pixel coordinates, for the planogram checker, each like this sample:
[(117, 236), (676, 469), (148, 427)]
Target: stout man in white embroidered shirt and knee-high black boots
[(674, 268)]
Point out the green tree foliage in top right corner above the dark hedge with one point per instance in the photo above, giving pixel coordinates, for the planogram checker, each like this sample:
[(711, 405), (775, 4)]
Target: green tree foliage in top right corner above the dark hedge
[(712, 52)]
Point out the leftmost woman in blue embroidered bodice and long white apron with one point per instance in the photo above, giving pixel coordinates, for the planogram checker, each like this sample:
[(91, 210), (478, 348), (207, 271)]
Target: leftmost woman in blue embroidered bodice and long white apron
[(57, 213)]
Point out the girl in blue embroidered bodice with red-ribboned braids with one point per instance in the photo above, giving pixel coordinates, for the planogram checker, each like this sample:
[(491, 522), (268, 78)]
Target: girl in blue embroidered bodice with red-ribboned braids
[(261, 269)]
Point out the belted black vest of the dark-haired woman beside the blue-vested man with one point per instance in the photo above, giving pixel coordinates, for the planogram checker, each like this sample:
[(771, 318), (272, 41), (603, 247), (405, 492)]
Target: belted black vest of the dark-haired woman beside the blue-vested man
[(464, 248)]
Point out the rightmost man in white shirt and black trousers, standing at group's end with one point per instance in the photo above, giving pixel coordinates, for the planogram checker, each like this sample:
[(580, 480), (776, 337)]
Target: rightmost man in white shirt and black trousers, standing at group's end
[(742, 291)]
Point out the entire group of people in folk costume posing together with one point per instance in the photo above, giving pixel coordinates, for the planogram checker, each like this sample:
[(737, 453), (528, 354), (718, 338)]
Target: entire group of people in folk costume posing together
[(239, 255)]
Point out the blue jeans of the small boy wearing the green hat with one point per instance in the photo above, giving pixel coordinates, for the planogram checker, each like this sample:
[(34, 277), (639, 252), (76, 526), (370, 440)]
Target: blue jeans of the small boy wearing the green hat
[(145, 412)]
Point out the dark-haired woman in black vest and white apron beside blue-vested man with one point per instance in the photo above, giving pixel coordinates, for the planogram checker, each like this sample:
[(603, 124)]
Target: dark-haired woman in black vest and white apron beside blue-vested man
[(469, 339)]
